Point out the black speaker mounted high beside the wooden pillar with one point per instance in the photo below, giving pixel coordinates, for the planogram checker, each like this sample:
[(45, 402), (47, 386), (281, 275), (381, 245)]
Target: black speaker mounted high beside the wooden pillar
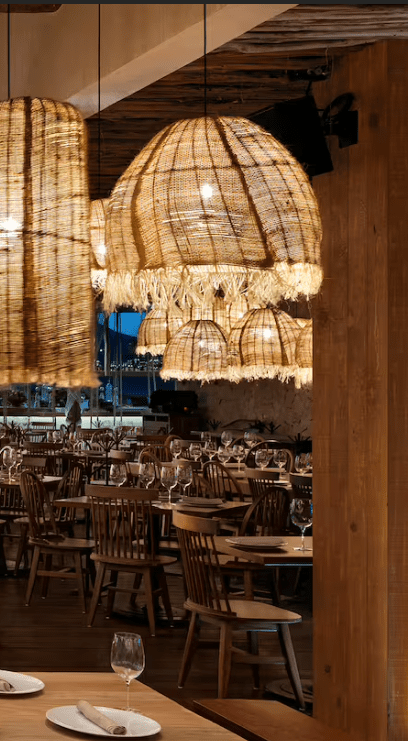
[(297, 124)]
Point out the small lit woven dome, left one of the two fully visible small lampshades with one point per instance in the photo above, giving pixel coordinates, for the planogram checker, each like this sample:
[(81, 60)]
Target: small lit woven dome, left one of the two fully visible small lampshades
[(197, 352)]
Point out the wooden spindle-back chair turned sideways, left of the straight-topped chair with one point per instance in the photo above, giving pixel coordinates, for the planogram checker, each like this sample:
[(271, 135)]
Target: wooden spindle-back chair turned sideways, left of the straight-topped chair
[(47, 542)]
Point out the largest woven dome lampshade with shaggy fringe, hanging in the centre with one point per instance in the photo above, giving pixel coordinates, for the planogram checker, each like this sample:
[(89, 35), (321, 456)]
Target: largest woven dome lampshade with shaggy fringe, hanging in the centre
[(212, 203)]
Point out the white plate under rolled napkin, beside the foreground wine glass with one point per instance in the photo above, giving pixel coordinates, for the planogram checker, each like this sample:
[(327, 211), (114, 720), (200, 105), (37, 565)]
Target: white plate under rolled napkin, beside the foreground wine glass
[(137, 726)]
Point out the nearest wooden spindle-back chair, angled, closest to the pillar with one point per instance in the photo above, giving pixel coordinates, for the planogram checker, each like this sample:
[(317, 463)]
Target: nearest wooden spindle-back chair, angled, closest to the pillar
[(208, 602)]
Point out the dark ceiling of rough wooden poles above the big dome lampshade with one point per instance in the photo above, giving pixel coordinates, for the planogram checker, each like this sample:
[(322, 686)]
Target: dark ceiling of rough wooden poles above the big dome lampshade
[(274, 62)]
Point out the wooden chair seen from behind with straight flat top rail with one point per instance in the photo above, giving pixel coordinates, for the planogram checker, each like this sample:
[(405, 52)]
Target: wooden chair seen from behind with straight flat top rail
[(126, 541)]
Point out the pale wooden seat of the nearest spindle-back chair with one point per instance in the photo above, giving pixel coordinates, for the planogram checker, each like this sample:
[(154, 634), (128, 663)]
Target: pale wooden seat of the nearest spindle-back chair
[(248, 610)]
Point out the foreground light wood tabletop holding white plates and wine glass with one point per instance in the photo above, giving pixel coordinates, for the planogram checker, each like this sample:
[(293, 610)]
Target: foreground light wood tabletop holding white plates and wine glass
[(23, 717)]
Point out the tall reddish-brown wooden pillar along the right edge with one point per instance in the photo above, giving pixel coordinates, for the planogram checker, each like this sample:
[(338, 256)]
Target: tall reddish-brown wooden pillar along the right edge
[(360, 415)]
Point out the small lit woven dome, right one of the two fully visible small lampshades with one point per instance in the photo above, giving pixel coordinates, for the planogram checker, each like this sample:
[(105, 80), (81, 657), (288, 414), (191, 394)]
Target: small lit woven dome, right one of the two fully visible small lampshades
[(263, 345)]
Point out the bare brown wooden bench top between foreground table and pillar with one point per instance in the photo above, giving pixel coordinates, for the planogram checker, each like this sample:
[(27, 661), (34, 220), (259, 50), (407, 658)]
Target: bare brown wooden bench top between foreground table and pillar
[(266, 720)]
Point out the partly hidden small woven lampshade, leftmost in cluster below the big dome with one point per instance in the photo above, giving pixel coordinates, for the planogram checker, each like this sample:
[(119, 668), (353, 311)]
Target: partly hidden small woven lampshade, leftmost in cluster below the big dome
[(156, 330)]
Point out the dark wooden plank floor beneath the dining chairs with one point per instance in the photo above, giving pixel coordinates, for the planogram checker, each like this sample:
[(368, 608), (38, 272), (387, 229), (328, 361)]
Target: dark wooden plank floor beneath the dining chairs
[(51, 635)]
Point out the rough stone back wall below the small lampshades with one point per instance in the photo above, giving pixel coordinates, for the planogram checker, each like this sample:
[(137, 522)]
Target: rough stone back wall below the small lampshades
[(266, 400)]
